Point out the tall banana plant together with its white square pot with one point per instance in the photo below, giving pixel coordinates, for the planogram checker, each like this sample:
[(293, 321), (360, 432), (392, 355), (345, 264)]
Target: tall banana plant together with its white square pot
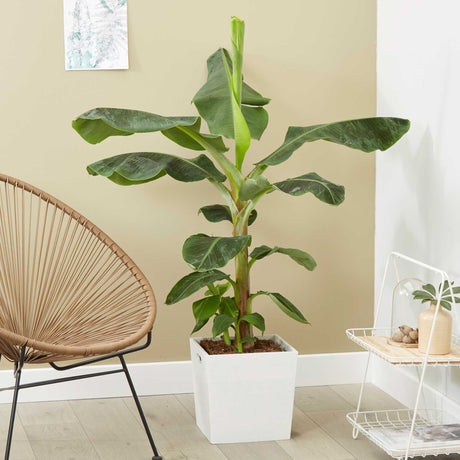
[(233, 111)]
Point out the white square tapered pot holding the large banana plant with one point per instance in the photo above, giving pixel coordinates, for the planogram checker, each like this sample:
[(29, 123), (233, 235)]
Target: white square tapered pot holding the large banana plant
[(244, 397)]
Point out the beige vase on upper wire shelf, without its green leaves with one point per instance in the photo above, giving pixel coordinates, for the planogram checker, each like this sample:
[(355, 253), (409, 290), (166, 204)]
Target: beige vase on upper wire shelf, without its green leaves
[(440, 344)]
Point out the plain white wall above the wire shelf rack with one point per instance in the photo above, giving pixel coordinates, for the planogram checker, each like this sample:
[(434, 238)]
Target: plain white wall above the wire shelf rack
[(418, 181)]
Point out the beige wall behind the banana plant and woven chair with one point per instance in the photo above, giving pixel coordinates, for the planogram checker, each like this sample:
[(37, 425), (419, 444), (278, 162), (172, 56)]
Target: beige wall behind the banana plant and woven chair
[(315, 59)]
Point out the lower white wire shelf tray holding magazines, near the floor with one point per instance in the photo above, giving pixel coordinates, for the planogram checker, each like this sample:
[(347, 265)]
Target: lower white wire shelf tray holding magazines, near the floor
[(435, 432)]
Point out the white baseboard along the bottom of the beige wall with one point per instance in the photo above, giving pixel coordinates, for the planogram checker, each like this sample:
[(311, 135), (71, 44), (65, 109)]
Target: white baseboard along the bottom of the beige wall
[(169, 378)]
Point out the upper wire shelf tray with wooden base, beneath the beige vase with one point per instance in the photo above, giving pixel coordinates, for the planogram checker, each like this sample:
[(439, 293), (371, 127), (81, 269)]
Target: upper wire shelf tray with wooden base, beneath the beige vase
[(375, 341)]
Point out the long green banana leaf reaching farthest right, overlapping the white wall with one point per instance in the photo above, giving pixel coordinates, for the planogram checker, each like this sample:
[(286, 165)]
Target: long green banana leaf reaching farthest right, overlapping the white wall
[(366, 134)]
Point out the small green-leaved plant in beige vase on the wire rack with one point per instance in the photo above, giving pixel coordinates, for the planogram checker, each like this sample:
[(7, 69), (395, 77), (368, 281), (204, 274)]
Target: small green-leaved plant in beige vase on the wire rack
[(441, 341)]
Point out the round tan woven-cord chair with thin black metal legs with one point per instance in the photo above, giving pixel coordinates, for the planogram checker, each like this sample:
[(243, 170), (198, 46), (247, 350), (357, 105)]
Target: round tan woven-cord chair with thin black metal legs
[(67, 291)]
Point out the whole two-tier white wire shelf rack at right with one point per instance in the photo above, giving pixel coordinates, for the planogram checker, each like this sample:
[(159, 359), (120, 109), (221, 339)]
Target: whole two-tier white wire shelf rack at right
[(407, 433)]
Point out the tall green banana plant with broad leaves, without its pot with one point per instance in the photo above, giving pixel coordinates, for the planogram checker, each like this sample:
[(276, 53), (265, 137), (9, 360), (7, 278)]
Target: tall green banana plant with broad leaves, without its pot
[(235, 115)]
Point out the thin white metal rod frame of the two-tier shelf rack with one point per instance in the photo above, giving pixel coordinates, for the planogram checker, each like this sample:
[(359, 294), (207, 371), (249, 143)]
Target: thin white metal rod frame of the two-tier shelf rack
[(394, 257)]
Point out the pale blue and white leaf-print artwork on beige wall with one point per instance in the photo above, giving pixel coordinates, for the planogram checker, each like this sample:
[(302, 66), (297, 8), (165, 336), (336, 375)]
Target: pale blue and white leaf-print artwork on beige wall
[(96, 34)]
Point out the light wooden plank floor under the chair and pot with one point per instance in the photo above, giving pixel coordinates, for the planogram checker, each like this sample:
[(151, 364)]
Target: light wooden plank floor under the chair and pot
[(110, 429)]
